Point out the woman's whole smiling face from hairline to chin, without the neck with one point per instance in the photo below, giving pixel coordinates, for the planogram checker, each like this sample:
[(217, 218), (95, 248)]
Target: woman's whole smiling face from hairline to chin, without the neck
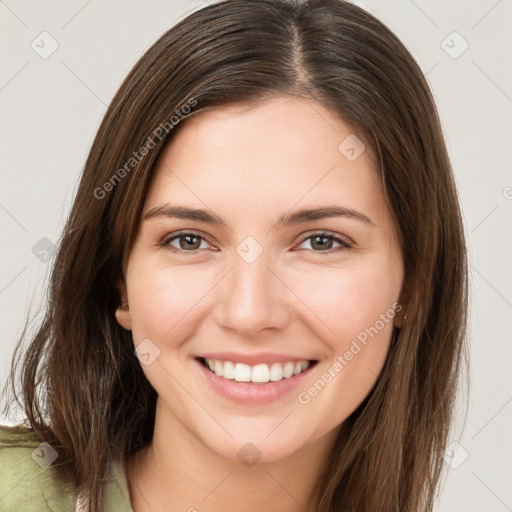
[(294, 313)]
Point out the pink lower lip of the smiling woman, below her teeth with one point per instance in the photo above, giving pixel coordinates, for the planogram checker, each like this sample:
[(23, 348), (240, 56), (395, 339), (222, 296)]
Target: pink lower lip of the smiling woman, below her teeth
[(252, 393)]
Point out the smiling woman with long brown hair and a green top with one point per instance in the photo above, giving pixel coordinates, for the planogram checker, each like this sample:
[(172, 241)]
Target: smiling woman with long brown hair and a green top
[(259, 299)]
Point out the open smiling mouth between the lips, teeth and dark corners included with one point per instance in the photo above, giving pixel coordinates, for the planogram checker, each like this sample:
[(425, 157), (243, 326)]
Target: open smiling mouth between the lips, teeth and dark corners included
[(259, 374)]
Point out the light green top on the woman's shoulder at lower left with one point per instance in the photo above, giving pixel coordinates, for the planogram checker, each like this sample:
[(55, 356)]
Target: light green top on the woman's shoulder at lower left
[(28, 484)]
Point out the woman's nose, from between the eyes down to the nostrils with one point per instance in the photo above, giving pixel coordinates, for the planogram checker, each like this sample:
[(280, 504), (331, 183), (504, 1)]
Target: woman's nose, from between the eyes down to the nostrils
[(252, 298)]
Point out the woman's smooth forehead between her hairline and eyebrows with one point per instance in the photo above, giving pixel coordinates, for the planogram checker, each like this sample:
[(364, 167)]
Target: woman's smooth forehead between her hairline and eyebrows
[(280, 151)]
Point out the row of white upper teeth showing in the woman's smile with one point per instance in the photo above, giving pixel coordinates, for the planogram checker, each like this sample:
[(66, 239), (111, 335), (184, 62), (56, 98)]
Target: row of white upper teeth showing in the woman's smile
[(259, 373)]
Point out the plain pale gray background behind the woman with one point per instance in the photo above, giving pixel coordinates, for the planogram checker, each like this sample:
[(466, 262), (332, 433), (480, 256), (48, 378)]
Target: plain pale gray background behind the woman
[(51, 108)]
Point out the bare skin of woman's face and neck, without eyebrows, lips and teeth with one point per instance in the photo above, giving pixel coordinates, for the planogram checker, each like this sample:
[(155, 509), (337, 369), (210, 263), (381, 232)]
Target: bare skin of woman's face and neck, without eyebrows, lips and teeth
[(249, 166)]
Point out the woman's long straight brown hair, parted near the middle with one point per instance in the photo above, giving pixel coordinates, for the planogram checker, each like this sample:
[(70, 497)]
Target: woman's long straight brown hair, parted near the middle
[(82, 388)]
